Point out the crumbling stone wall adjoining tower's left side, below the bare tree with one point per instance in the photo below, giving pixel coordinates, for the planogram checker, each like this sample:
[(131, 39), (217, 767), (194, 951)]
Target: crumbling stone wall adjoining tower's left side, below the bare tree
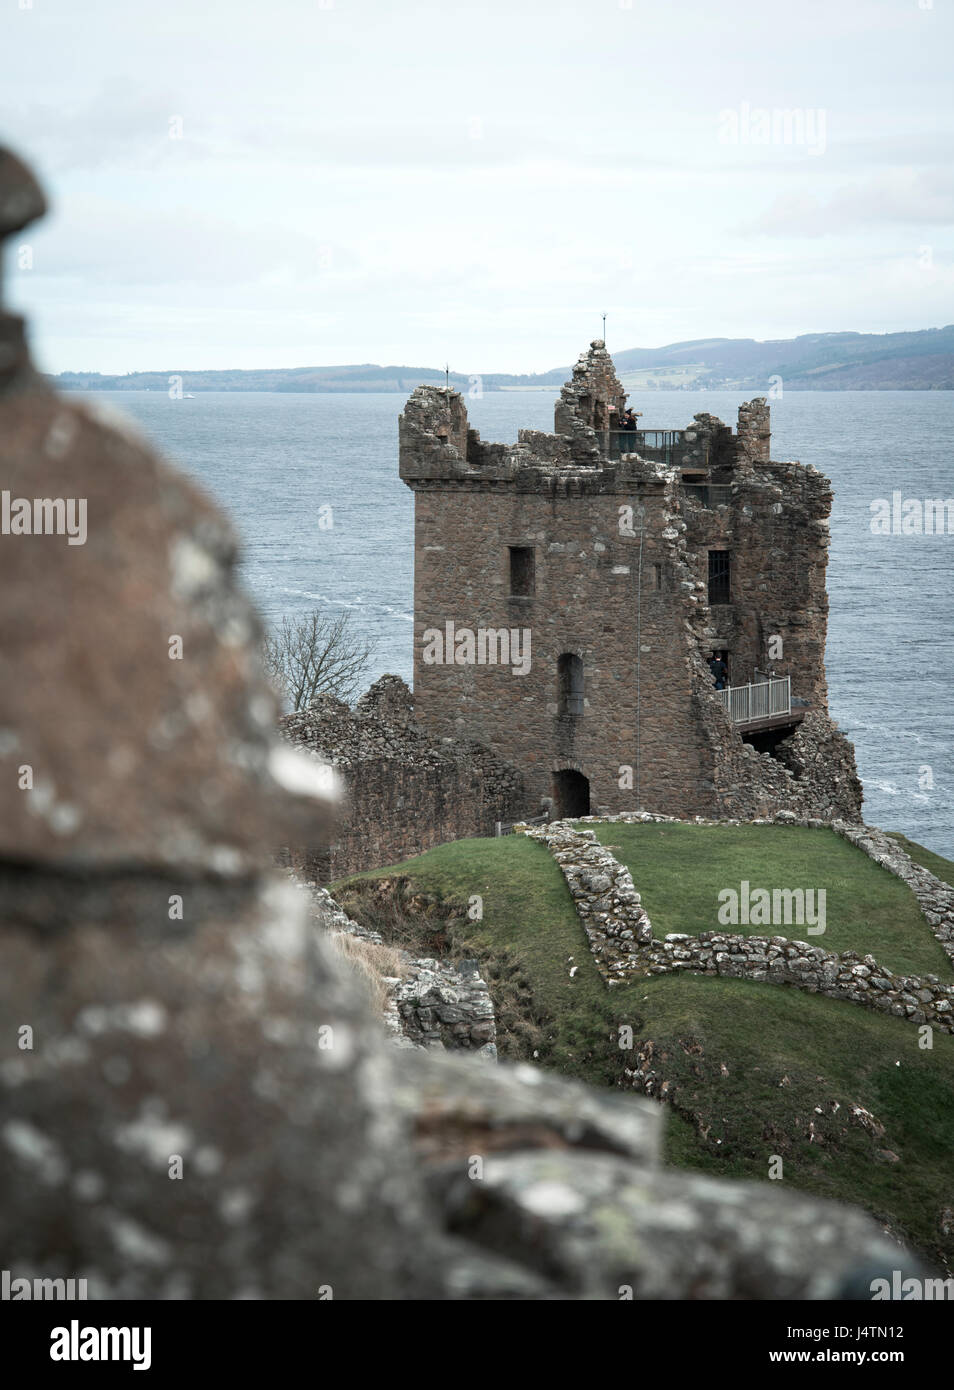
[(405, 792)]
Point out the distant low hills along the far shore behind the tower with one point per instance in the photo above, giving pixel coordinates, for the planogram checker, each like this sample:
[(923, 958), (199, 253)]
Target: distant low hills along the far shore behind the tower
[(921, 361)]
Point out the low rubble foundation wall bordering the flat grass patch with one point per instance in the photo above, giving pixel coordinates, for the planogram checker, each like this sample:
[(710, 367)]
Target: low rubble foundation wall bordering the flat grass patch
[(622, 943)]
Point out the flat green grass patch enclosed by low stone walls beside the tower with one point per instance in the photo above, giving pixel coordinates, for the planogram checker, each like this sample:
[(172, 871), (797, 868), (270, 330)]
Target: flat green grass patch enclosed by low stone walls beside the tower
[(681, 871)]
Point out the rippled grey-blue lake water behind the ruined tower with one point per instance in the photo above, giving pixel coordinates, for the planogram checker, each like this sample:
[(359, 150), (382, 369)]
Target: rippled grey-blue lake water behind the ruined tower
[(275, 461)]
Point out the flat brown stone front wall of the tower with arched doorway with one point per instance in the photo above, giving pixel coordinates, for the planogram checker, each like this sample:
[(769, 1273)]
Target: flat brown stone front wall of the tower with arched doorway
[(597, 598)]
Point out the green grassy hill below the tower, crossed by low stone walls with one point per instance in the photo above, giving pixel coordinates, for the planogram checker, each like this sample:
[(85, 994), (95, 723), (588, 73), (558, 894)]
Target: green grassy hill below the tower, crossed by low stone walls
[(846, 1097)]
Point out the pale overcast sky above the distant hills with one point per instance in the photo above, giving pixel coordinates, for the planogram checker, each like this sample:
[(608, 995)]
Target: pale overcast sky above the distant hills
[(297, 183)]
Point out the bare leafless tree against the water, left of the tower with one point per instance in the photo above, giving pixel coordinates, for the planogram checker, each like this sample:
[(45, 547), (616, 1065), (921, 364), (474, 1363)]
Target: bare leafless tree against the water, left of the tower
[(316, 655)]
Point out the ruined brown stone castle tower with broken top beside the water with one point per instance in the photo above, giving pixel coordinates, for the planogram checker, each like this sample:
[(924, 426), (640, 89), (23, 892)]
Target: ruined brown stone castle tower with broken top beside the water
[(571, 590)]
